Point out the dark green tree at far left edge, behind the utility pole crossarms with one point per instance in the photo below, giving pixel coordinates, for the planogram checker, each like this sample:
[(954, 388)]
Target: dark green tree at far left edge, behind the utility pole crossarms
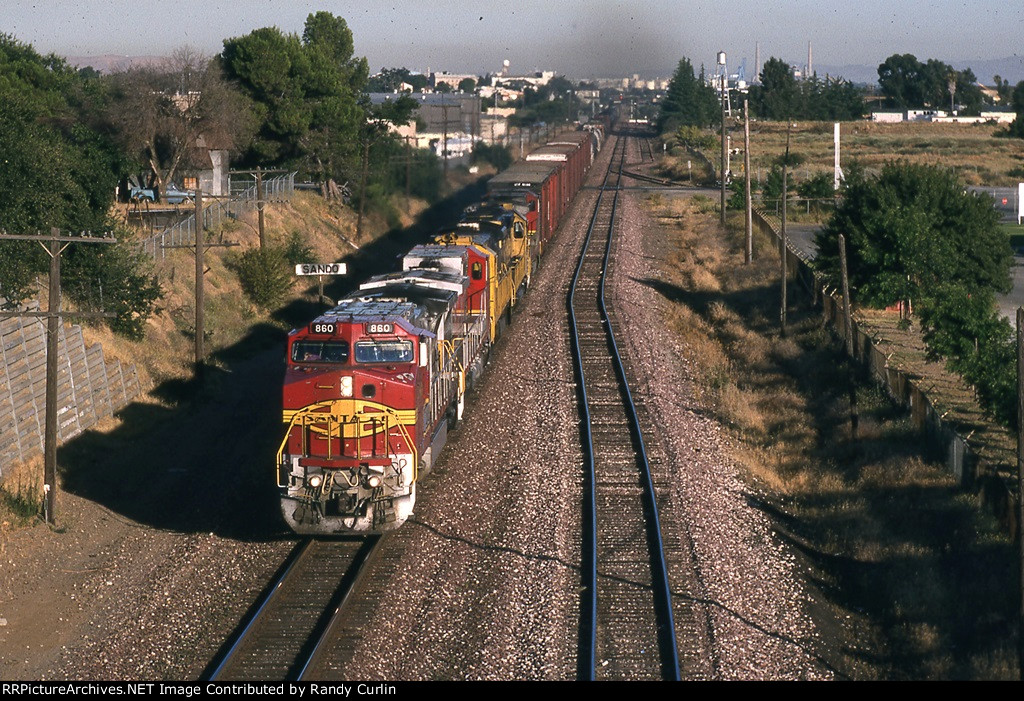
[(60, 168)]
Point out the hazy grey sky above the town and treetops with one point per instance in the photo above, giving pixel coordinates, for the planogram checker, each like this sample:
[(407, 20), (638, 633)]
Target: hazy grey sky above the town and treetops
[(576, 37)]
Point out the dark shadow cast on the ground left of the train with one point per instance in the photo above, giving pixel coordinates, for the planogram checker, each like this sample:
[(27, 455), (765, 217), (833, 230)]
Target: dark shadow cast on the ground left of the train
[(202, 460)]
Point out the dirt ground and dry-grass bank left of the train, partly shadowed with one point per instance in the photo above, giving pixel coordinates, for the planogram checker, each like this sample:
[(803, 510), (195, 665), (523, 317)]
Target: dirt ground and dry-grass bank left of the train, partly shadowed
[(166, 522)]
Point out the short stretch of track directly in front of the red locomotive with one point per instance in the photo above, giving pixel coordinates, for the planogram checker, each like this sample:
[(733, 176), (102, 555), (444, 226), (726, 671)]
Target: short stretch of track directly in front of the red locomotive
[(285, 633)]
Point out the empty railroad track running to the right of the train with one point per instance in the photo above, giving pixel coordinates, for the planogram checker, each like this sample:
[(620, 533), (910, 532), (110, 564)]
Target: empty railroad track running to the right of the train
[(627, 627)]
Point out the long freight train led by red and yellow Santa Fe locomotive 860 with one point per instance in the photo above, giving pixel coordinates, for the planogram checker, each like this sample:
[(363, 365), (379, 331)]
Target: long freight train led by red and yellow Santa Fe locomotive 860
[(373, 386)]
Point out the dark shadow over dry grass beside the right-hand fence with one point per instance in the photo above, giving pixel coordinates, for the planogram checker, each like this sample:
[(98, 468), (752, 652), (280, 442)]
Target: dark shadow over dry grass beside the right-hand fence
[(906, 553)]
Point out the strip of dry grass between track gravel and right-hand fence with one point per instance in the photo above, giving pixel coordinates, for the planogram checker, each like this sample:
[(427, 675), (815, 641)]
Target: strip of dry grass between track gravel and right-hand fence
[(922, 578)]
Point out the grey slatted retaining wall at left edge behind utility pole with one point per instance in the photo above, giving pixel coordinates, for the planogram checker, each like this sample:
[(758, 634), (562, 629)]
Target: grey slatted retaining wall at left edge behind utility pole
[(89, 387)]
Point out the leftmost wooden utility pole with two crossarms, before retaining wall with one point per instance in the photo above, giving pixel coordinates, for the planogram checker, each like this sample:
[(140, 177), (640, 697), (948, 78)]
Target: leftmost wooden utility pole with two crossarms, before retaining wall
[(53, 245)]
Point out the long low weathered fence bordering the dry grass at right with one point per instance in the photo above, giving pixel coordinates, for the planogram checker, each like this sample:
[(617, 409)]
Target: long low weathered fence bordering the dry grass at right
[(990, 476)]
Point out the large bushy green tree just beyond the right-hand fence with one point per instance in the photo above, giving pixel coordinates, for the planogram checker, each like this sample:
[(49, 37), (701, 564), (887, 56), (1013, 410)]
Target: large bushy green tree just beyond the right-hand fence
[(914, 233)]
